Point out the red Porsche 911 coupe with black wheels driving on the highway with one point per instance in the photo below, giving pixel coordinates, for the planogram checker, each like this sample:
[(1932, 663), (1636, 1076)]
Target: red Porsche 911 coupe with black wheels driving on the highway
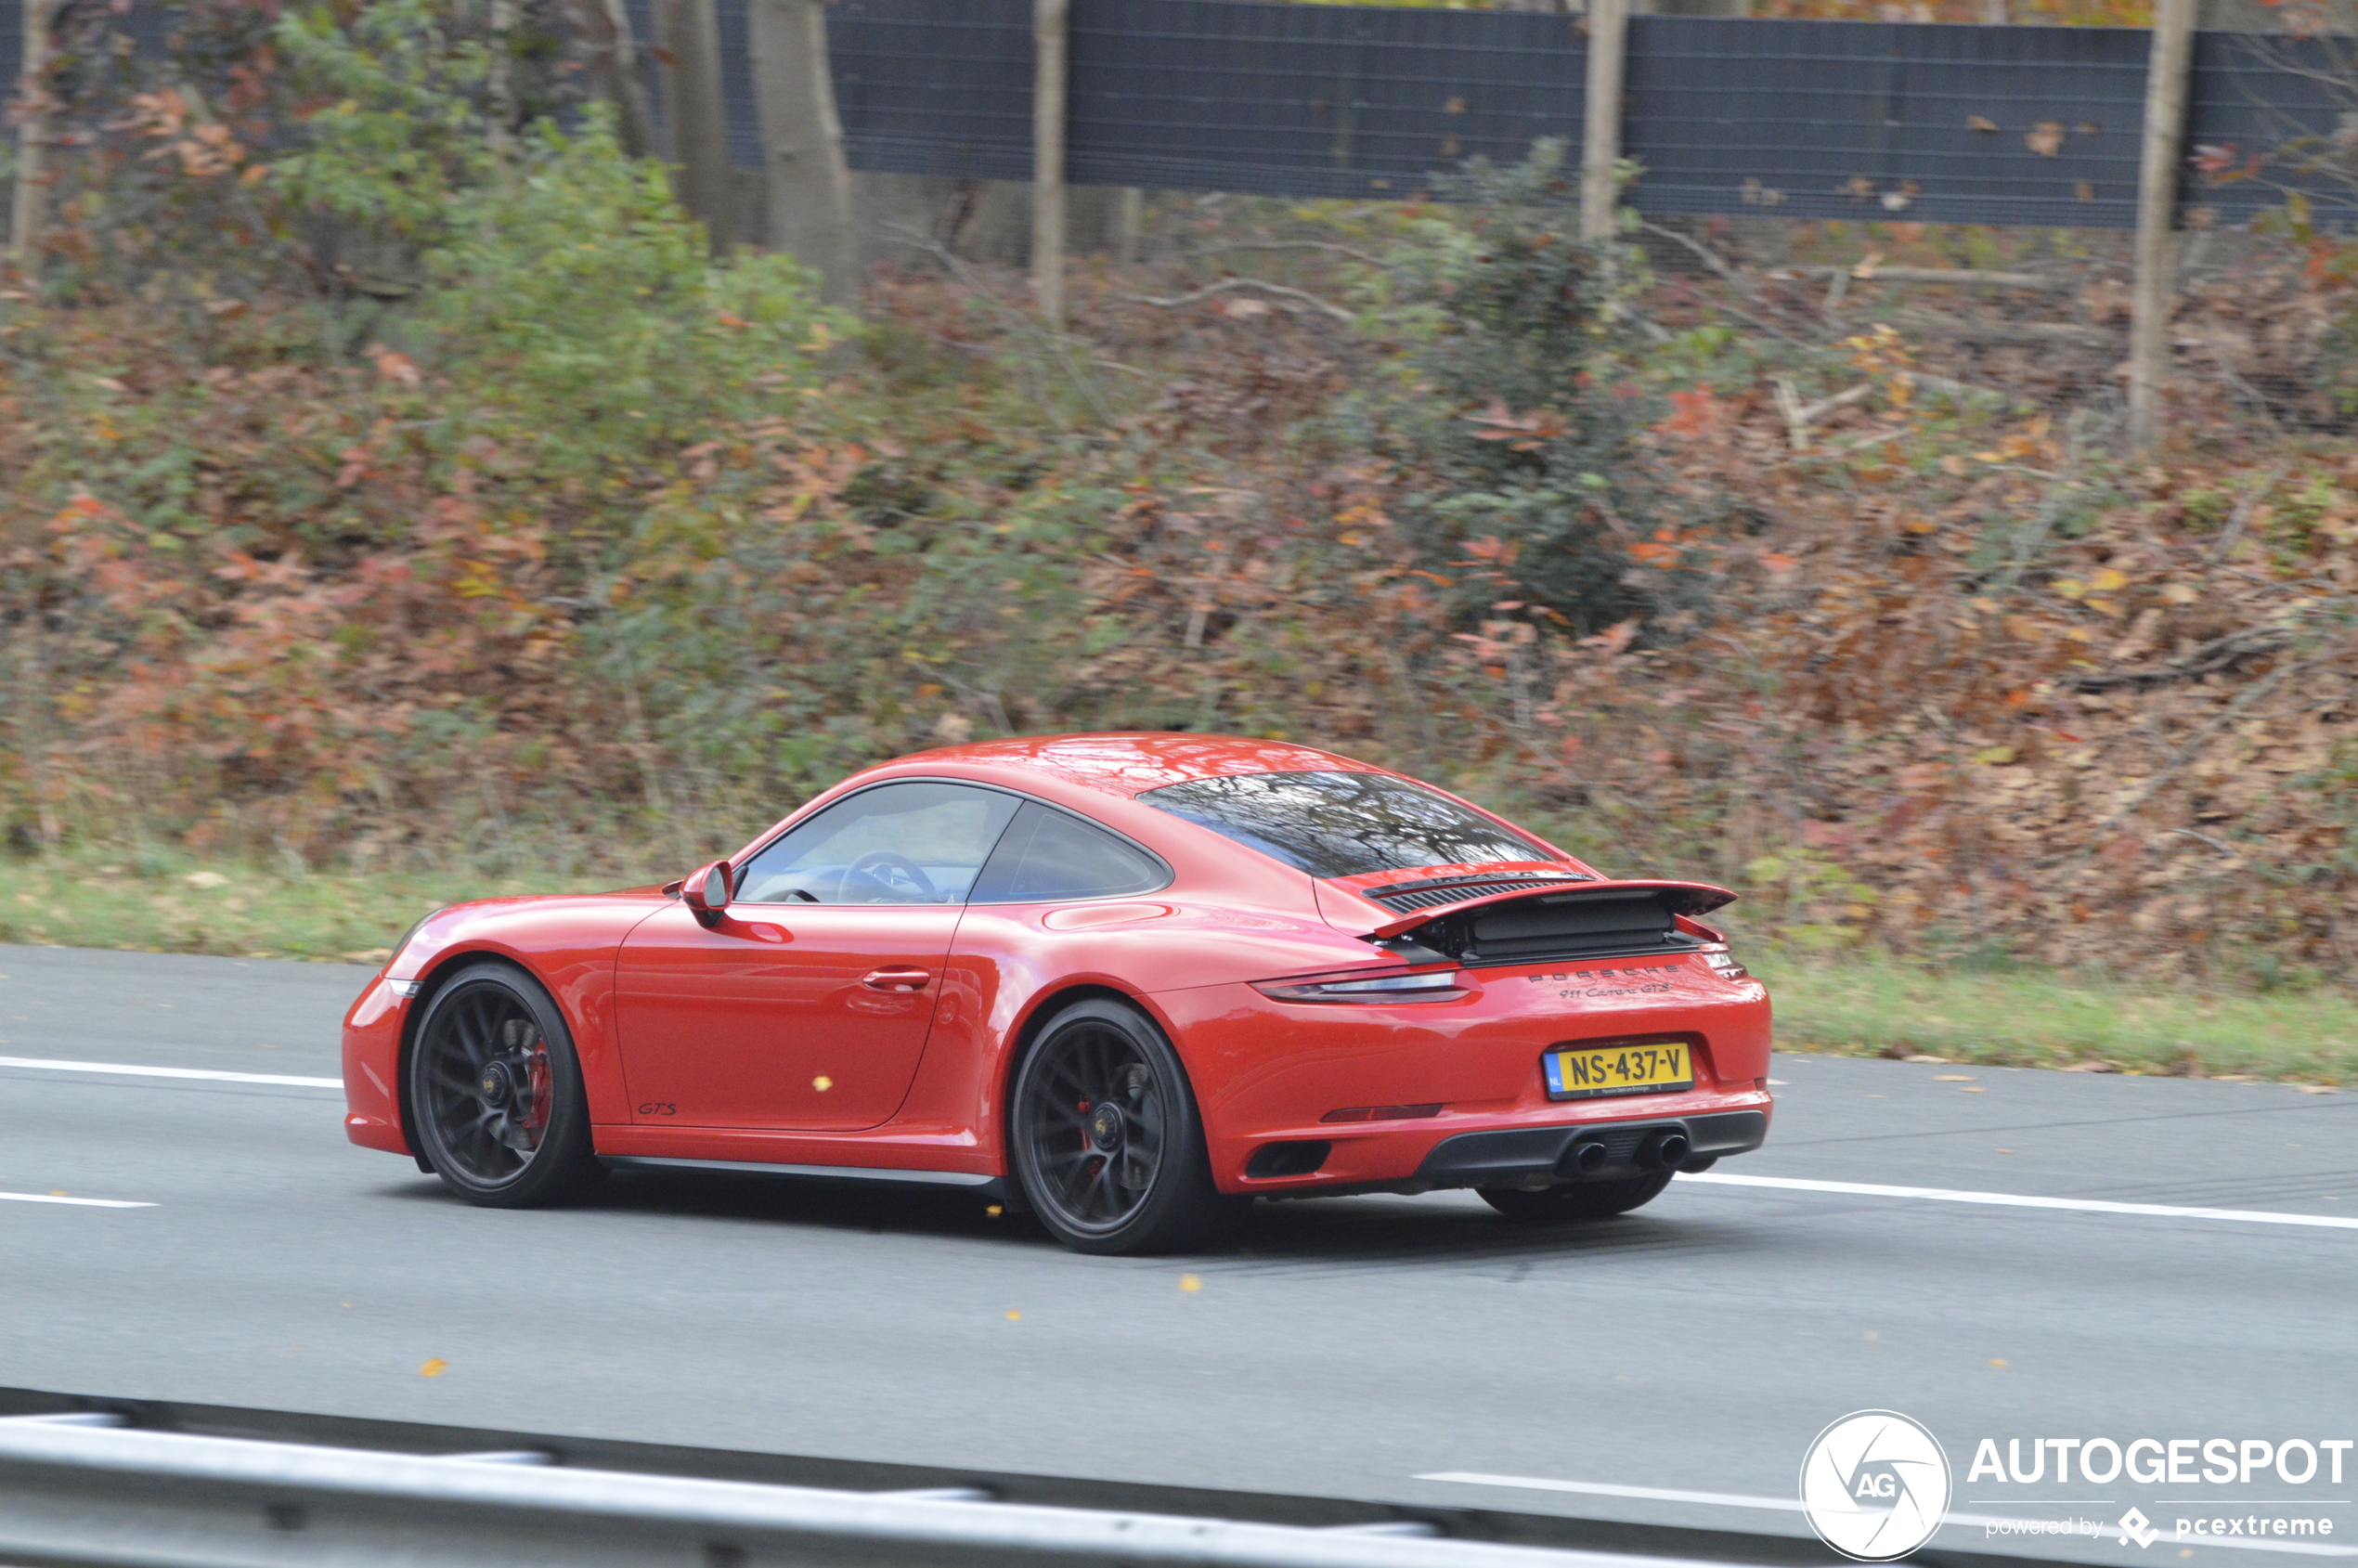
[(1121, 982)]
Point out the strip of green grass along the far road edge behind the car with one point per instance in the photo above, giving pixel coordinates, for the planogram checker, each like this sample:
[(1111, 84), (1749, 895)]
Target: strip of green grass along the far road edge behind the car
[(169, 902)]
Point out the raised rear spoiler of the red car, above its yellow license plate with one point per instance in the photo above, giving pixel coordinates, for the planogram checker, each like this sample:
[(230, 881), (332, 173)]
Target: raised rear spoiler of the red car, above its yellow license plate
[(1557, 921)]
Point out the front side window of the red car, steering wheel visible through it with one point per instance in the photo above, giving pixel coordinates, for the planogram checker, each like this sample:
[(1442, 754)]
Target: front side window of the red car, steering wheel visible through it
[(909, 843)]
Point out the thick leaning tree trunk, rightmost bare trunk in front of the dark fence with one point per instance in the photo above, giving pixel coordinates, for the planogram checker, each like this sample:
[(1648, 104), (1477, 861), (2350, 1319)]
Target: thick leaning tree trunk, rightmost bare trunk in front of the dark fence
[(803, 143)]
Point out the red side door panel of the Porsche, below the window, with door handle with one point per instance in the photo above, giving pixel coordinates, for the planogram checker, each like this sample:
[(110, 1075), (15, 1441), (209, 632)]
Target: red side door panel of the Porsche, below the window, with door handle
[(789, 1017)]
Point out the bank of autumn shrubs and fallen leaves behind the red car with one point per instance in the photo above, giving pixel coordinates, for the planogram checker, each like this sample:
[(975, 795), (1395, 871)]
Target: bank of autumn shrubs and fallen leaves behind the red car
[(591, 551)]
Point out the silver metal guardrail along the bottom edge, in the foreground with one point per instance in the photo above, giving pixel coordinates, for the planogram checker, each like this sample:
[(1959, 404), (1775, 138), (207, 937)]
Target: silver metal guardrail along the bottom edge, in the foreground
[(88, 1489)]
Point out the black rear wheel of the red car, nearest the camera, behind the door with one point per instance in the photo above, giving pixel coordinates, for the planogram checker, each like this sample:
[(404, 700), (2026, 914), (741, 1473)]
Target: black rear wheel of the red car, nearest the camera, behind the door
[(1107, 1142)]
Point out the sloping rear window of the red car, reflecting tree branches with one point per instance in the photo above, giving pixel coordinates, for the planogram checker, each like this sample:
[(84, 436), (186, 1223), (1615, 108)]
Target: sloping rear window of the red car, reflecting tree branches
[(1345, 824)]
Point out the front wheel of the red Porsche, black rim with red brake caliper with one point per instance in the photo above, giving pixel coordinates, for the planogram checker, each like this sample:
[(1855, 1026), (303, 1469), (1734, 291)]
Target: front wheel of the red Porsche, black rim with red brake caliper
[(496, 1093)]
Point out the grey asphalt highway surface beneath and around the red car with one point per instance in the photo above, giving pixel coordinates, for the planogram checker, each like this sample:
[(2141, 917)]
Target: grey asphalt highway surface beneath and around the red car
[(1668, 1366)]
